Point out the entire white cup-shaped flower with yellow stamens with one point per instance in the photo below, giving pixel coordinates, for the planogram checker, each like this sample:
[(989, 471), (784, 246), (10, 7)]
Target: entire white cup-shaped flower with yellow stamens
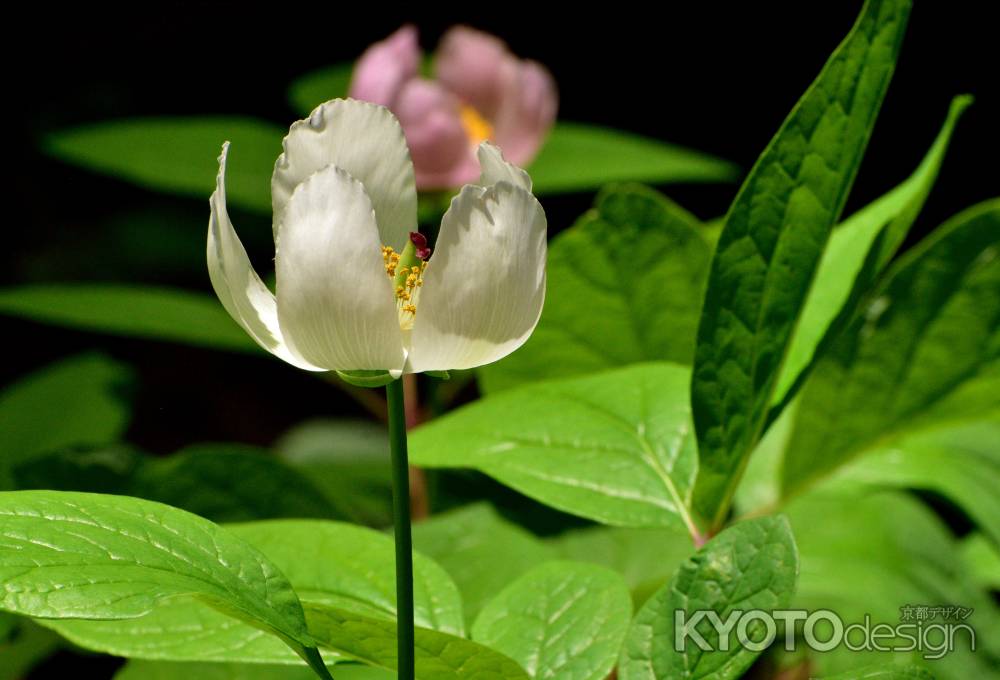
[(344, 205)]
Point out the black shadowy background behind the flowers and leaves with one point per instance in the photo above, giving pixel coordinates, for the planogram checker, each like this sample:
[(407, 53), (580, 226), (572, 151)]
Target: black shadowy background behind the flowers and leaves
[(719, 77)]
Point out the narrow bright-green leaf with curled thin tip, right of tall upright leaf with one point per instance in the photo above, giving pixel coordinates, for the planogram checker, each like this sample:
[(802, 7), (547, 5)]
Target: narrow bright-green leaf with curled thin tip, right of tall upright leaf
[(877, 229)]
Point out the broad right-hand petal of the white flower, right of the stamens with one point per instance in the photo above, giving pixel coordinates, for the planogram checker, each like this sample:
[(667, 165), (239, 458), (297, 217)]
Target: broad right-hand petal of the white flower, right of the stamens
[(485, 283)]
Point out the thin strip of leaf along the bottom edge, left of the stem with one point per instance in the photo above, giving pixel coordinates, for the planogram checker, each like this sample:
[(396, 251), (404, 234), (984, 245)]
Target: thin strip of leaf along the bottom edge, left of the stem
[(166, 670)]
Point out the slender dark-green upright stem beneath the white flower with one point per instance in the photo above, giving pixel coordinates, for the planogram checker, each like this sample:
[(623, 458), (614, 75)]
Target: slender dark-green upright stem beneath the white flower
[(401, 528)]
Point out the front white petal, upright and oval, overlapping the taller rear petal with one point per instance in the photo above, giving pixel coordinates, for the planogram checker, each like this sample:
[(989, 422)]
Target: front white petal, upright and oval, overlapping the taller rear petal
[(335, 302)]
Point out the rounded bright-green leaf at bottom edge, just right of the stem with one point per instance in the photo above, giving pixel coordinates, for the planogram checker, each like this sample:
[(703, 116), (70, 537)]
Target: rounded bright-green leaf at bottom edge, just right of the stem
[(562, 620)]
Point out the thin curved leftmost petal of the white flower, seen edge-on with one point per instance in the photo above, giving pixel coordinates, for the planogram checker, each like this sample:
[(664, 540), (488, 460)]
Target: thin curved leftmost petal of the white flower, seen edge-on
[(241, 291)]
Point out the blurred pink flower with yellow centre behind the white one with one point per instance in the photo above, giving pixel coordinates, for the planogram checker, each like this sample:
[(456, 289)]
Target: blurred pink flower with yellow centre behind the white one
[(480, 92)]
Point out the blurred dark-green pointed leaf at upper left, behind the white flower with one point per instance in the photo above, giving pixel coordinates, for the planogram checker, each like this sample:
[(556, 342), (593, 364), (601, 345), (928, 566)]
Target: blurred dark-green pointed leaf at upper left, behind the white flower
[(178, 155)]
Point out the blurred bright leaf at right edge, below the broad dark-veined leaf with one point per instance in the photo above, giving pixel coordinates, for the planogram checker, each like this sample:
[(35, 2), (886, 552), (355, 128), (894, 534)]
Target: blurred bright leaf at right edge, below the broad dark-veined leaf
[(960, 463)]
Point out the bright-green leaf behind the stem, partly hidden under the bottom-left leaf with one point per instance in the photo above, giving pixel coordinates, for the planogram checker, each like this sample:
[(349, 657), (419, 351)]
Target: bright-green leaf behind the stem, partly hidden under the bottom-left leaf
[(326, 562)]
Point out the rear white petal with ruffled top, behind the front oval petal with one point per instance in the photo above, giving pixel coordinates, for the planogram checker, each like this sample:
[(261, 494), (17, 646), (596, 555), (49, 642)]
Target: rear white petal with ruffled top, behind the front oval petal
[(366, 141)]
